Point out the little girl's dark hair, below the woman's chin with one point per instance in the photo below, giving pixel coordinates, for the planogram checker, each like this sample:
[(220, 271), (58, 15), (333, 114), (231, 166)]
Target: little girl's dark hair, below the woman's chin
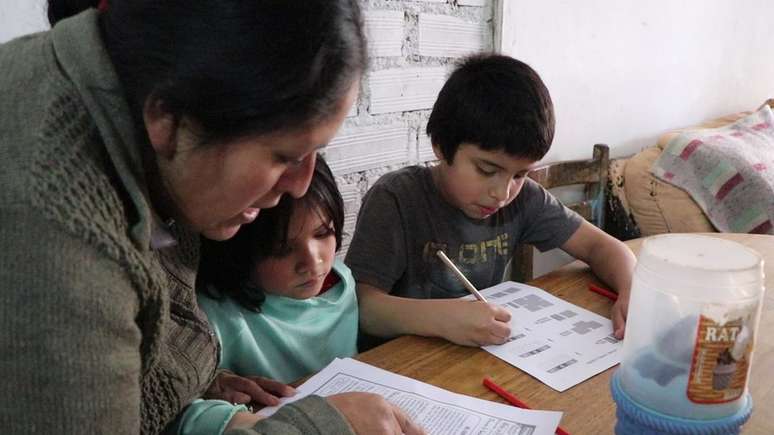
[(225, 266)]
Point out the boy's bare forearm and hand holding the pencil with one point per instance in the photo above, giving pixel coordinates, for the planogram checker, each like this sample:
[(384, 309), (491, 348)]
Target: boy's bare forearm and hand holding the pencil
[(465, 322)]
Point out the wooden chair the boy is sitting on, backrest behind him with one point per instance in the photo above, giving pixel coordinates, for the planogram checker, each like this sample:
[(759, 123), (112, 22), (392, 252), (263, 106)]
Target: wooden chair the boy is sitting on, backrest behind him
[(591, 173)]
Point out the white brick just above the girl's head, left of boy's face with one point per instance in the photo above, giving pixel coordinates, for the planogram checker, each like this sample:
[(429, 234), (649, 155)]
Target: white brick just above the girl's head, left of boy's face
[(362, 148)]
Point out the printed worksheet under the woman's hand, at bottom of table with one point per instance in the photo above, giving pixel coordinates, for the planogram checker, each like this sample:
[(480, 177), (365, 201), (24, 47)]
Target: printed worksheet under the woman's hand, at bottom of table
[(437, 410)]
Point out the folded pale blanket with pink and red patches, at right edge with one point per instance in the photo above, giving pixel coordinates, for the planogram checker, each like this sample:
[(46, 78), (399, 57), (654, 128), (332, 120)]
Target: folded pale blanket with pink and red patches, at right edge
[(728, 171)]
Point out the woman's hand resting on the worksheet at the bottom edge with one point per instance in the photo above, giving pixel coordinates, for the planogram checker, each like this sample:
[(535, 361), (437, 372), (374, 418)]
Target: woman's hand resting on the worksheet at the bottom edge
[(372, 415)]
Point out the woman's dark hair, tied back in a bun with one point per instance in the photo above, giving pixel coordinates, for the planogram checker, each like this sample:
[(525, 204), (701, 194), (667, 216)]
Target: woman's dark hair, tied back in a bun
[(235, 68)]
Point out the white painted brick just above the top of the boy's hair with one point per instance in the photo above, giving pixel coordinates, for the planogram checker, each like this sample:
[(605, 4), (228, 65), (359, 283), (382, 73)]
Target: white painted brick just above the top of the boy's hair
[(447, 36)]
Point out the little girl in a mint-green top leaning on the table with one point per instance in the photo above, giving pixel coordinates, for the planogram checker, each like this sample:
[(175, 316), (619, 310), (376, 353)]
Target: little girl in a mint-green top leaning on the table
[(279, 301)]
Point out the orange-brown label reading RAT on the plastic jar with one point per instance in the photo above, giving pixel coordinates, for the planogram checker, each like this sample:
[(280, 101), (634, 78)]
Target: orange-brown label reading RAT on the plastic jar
[(721, 356)]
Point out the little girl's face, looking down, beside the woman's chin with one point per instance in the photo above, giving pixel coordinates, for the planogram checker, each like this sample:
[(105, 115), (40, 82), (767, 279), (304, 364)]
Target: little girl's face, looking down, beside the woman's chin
[(300, 270)]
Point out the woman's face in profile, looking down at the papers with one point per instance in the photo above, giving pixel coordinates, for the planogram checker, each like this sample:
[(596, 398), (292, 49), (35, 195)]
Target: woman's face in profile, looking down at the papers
[(216, 189)]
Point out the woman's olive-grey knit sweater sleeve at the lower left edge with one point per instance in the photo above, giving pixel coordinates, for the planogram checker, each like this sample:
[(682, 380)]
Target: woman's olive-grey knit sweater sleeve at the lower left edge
[(70, 345)]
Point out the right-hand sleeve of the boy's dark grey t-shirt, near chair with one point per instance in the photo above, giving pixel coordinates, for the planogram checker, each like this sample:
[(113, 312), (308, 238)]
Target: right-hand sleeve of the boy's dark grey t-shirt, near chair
[(548, 224)]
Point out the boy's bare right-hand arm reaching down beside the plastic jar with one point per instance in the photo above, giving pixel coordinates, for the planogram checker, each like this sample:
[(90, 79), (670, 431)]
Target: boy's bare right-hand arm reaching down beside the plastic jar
[(610, 260)]
